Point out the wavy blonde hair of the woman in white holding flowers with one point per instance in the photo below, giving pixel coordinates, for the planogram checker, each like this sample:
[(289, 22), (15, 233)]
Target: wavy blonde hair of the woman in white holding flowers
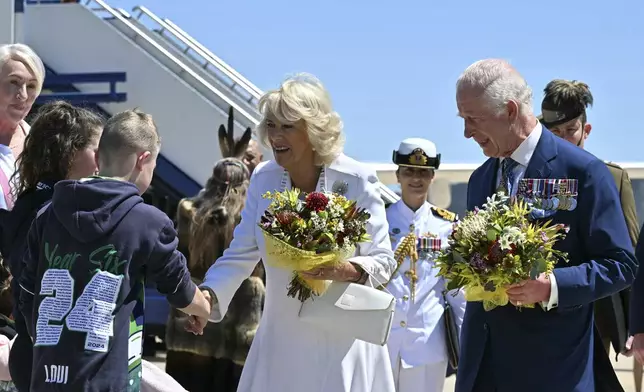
[(303, 97)]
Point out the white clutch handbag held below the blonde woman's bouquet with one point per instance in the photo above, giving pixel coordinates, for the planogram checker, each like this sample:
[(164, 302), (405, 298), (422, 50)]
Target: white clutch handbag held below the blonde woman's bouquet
[(352, 310)]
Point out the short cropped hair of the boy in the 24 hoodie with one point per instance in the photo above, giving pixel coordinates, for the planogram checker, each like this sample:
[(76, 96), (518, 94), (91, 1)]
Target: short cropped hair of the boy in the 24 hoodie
[(128, 132)]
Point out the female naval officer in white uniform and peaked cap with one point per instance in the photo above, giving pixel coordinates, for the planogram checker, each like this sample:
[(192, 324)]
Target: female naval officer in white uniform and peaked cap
[(418, 343)]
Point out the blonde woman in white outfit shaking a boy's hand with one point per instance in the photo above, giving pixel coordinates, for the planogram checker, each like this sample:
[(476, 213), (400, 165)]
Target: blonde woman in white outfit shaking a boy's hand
[(287, 354)]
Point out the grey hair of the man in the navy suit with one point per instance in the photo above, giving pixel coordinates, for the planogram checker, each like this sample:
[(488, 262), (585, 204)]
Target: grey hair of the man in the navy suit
[(499, 83)]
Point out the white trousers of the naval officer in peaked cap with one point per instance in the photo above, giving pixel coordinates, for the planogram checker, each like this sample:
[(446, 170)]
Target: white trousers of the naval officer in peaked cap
[(426, 378)]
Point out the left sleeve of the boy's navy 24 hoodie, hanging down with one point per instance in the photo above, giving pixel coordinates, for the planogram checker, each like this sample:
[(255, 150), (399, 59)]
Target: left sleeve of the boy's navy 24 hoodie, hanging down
[(28, 276)]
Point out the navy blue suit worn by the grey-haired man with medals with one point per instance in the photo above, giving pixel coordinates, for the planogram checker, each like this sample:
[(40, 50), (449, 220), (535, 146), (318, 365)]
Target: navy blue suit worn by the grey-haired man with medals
[(531, 350)]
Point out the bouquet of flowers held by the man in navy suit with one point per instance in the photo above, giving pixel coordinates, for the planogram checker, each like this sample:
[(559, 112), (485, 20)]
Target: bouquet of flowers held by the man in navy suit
[(496, 246)]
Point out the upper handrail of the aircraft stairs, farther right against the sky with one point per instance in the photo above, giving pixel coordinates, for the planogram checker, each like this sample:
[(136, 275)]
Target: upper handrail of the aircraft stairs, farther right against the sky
[(230, 78)]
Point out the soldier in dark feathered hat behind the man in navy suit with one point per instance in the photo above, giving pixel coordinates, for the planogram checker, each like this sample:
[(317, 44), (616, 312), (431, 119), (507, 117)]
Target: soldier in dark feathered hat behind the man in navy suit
[(563, 111)]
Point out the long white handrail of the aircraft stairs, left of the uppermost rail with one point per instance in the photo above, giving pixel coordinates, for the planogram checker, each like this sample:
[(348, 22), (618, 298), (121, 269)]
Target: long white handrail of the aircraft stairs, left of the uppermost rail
[(116, 14)]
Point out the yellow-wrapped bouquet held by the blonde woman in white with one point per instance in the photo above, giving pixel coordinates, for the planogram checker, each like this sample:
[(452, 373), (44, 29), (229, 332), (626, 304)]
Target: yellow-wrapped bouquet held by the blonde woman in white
[(320, 230)]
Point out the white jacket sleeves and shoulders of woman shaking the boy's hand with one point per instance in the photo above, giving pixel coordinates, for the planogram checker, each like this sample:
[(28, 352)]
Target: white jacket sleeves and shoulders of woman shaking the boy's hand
[(247, 246)]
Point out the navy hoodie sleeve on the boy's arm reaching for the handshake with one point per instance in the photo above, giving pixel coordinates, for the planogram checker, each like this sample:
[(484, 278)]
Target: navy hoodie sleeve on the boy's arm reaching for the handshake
[(168, 270)]
